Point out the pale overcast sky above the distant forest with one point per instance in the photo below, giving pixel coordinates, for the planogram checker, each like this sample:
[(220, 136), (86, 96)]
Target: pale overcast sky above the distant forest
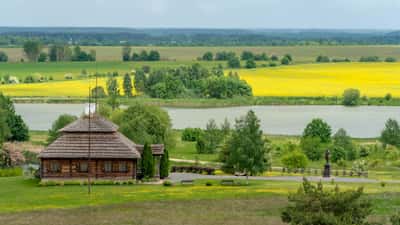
[(308, 14)]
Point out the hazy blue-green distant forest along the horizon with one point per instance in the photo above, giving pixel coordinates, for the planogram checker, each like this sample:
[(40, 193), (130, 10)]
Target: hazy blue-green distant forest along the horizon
[(16, 36)]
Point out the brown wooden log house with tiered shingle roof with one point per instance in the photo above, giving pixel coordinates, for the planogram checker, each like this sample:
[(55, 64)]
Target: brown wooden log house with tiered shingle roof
[(112, 155)]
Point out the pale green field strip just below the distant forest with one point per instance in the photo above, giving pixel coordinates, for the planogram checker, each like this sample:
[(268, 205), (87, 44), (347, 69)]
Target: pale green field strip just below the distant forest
[(301, 54)]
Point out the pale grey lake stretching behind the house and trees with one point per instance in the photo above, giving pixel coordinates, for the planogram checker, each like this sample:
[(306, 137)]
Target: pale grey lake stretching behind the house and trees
[(363, 121)]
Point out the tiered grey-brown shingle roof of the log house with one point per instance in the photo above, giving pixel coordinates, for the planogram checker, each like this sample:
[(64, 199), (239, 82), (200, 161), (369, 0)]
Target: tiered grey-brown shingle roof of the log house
[(105, 142)]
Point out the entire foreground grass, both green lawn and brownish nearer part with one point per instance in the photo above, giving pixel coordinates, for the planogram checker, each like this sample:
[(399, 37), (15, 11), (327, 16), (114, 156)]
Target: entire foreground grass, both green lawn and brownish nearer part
[(22, 200)]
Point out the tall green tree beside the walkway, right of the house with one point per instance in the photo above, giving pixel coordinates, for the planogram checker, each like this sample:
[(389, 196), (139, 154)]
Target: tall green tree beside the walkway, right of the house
[(245, 149)]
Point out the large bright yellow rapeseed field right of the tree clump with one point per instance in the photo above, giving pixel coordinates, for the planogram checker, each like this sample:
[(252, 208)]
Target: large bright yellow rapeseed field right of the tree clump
[(372, 79)]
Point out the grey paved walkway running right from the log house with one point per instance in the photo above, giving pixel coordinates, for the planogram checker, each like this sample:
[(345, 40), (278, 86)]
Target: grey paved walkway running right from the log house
[(177, 177)]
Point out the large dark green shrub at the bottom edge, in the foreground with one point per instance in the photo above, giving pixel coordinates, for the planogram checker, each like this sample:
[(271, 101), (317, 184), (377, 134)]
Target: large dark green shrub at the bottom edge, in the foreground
[(312, 204)]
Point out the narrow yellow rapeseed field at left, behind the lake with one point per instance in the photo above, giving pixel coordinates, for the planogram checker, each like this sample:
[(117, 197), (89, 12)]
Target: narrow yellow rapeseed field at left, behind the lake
[(74, 88)]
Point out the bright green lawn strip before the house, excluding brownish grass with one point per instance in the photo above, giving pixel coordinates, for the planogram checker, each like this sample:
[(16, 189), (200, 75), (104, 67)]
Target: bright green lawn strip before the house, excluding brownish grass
[(19, 194)]
